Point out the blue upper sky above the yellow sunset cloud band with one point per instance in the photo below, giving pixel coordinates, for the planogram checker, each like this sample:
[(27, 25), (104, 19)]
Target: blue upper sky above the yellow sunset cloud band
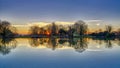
[(24, 11)]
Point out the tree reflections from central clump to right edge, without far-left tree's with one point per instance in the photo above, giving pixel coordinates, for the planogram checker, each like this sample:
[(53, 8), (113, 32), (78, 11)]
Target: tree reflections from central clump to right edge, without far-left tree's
[(79, 44)]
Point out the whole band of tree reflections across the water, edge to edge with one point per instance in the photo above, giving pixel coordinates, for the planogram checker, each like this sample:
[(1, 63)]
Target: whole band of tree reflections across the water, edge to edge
[(78, 44)]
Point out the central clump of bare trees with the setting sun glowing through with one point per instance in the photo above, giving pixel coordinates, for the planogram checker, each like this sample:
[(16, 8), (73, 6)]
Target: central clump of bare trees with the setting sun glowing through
[(78, 29)]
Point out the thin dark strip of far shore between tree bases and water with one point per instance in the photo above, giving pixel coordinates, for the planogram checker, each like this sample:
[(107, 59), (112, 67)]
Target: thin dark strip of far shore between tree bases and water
[(45, 36)]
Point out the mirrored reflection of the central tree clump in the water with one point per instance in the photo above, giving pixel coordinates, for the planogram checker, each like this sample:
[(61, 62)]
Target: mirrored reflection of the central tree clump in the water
[(79, 44)]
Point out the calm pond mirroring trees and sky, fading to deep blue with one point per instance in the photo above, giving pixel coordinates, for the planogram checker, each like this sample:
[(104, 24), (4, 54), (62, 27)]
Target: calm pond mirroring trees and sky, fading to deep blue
[(59, 53)]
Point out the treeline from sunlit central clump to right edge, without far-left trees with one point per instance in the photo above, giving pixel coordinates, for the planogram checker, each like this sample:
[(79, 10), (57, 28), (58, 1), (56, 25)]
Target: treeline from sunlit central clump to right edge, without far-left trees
[(78, 29)]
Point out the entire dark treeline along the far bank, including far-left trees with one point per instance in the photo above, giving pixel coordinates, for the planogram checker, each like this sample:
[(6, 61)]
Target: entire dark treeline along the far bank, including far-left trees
[(78, 29)]
